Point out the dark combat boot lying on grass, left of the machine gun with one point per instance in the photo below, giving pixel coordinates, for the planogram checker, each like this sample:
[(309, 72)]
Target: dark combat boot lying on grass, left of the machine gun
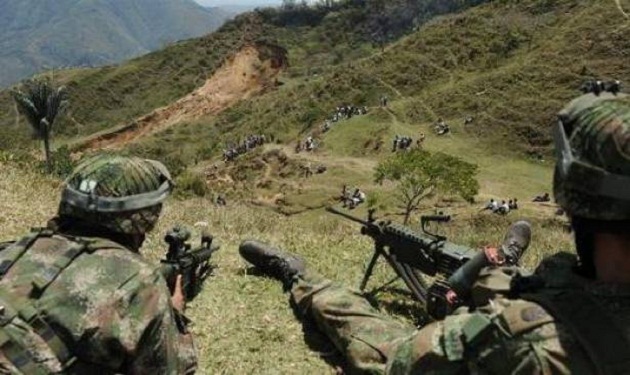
[(272, 261)]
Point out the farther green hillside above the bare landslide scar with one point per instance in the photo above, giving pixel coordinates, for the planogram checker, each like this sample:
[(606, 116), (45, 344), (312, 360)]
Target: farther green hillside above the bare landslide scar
[(316, 39)]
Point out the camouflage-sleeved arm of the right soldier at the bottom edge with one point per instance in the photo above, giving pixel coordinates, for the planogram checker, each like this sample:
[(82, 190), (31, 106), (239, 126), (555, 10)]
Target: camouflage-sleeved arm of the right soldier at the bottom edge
[(521, 338)]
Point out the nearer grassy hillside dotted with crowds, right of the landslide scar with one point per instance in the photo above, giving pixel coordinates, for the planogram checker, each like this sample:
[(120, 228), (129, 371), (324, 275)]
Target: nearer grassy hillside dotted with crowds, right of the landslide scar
[(453, 67)]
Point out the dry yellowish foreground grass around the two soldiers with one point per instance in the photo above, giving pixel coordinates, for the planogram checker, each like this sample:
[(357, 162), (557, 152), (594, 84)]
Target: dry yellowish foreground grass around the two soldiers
[(243, 323)]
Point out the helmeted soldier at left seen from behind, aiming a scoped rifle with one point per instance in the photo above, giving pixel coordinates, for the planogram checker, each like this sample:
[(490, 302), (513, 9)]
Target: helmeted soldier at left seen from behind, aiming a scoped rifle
[(76, 297)]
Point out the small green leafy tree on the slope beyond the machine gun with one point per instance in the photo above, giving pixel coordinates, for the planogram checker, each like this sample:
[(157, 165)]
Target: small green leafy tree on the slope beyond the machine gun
[(420, 174)]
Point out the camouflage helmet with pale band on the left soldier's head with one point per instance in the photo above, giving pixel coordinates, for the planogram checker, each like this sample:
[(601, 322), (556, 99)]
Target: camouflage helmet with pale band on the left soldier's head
[(122, 194)]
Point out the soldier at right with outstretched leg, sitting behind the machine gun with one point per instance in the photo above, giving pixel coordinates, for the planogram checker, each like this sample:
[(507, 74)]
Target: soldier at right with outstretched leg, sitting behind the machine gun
[(572, 316)]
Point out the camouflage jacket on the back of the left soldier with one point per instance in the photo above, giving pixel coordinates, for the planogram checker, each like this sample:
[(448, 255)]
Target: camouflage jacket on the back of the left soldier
[(99, 310)]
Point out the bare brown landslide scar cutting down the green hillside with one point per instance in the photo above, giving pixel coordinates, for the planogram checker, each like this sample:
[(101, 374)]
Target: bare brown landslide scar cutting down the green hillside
[(241, 76)]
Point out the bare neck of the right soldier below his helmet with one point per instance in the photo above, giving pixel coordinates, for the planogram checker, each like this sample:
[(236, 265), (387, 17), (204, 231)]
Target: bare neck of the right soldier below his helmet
[(612, 258)]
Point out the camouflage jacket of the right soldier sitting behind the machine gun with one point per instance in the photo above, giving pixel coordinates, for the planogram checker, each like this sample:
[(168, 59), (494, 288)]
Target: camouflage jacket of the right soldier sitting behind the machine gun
[(519, 336)]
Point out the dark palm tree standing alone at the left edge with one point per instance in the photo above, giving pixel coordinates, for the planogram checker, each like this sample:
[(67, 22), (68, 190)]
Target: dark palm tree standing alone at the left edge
[(40, 102)]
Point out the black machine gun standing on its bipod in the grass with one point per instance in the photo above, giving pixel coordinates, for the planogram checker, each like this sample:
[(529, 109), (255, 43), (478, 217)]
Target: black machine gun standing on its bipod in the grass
[(412, 255)]
